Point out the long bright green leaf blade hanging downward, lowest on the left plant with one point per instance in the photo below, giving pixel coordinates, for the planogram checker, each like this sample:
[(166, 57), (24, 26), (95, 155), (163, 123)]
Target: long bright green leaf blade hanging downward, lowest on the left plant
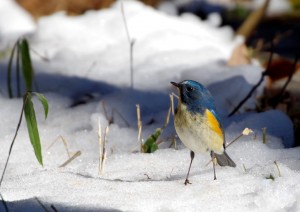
[(32, 127)]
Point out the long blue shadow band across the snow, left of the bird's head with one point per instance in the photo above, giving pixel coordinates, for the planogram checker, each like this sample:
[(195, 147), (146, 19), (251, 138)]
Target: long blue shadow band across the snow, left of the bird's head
[(83, 91)]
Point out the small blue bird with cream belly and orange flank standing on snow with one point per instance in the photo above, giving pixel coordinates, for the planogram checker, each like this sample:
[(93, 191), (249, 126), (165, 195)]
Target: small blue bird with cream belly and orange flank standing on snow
[(198, 124)]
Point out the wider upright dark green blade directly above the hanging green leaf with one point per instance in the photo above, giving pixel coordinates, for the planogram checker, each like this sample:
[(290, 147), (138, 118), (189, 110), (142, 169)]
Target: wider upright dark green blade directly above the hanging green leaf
[(26, 64)]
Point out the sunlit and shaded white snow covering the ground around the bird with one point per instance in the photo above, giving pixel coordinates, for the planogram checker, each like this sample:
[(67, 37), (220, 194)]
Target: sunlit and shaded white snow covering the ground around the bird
[(89, 54)]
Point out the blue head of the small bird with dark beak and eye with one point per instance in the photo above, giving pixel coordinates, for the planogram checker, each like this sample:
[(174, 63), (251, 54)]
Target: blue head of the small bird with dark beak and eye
[(194, 95)]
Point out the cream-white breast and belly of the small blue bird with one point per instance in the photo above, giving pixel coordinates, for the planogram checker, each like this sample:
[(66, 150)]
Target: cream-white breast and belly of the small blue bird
[(196, 134)]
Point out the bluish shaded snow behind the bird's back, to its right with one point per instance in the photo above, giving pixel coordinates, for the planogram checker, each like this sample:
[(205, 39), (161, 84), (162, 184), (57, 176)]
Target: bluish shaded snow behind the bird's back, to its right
[(228, 93)]
